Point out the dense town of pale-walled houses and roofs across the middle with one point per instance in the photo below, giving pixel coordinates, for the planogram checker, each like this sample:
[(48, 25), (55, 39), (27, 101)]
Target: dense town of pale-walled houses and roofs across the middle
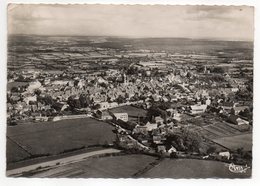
[(179, 84)]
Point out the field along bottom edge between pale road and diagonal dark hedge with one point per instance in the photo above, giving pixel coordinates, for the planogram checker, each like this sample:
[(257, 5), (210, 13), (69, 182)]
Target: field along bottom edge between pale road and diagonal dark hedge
[(106, 167)]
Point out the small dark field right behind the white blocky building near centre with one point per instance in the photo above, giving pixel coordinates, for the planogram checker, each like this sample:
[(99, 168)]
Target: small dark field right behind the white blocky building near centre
[(133, 112)]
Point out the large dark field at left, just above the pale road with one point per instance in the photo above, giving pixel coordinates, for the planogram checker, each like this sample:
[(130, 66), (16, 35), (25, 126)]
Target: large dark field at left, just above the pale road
[(51, 138)]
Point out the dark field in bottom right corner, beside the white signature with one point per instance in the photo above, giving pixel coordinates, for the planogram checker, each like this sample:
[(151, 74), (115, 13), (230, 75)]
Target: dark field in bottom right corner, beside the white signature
[(190, 168)]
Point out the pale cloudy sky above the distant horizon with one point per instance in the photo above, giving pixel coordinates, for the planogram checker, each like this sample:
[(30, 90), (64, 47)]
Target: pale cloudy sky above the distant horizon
[(216, 22)]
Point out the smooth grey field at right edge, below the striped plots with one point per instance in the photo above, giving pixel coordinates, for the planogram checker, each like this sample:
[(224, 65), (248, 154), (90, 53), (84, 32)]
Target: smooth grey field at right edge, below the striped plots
[(234, 142)]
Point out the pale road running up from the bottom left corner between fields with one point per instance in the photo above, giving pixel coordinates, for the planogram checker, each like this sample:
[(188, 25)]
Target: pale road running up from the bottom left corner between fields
[(59, 162)]
